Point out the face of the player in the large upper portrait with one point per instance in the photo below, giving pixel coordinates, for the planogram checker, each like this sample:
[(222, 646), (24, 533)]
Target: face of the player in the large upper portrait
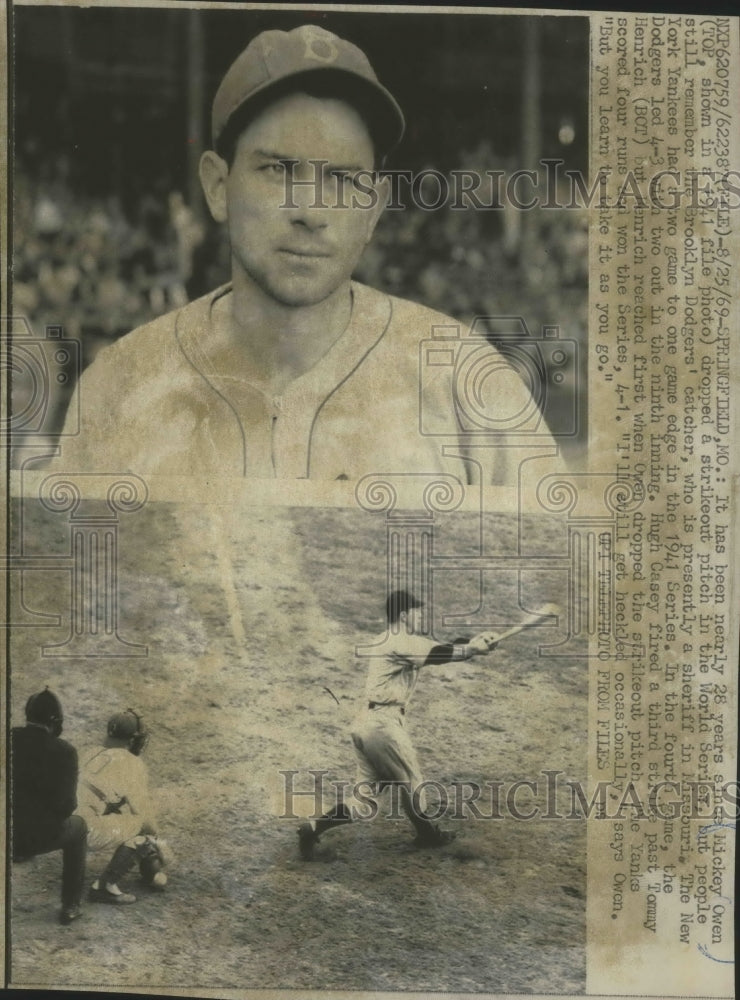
[(300, 242)]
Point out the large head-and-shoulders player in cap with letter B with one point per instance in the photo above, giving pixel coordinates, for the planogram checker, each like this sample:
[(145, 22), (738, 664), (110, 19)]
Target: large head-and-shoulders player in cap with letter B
[(293, 369)]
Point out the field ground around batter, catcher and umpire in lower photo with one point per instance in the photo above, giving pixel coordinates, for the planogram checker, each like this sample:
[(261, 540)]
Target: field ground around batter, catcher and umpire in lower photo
[(249, 616)]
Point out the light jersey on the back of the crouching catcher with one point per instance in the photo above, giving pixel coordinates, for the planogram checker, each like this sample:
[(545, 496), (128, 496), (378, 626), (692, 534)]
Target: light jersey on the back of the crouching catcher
[(115, 777)]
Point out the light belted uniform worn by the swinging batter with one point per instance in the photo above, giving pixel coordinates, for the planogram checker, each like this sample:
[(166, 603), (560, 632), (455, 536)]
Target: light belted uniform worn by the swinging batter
[(384, 749)]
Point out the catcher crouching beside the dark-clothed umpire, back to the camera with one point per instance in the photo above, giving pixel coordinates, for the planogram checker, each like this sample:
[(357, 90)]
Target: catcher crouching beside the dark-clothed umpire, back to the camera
[(116, 803)]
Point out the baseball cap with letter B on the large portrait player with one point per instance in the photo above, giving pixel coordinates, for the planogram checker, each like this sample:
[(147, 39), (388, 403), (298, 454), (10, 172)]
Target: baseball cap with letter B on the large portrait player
[(277, 62)]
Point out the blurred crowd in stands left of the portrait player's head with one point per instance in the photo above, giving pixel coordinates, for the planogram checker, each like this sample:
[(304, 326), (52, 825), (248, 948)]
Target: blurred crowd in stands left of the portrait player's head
[(91, 266)]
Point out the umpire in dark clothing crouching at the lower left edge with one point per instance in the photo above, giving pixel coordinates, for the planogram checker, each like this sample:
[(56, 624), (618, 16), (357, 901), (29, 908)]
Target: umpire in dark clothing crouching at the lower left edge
[(44, 773)]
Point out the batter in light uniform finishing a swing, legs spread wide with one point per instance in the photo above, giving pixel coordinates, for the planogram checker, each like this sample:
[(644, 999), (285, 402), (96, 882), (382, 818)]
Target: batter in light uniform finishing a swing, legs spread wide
[(385, 753)]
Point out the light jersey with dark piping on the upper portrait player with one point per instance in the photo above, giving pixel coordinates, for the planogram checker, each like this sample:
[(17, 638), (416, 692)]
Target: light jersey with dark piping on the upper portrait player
[(382, 399)]
